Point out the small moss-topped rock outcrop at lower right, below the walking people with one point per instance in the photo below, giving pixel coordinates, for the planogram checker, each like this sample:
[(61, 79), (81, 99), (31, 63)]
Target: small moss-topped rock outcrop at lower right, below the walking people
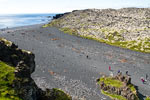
[(118, 87)]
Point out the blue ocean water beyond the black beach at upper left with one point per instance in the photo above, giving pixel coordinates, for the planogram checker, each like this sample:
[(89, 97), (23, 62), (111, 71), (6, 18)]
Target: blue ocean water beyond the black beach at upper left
[(16, 20)]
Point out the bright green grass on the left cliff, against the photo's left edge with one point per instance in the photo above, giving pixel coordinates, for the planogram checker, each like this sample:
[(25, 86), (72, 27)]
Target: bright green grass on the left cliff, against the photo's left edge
[(7, 77)]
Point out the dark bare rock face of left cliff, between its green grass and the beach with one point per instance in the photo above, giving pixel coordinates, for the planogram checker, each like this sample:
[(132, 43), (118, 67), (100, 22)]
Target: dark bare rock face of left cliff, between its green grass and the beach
[(24, 64)]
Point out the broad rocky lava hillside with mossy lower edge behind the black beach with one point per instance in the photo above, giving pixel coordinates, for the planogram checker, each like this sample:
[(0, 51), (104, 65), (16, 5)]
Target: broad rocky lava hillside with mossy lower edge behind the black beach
[(126, 27)]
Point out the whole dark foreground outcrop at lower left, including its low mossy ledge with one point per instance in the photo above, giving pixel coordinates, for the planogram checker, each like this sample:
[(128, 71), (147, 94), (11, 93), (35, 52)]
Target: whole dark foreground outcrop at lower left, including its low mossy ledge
[(24, 65)]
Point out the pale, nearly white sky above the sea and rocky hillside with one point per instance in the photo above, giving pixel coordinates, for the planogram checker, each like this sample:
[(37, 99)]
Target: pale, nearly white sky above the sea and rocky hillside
[(61, 6)]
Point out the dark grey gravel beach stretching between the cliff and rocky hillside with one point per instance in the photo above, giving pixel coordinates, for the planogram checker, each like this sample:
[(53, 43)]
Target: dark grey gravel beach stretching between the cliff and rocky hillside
[(73, 64)]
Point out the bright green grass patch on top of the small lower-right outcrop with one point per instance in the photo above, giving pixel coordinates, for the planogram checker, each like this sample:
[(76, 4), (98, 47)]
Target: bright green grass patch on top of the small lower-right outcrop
[(109, 81)]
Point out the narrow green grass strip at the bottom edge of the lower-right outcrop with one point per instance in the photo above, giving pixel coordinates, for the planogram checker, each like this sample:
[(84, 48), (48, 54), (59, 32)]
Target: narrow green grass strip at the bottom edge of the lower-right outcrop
[(113, 96)]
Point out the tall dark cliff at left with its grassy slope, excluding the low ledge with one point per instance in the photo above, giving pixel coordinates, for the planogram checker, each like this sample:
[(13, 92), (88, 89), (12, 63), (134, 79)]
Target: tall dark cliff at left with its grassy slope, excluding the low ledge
[(20, 65)]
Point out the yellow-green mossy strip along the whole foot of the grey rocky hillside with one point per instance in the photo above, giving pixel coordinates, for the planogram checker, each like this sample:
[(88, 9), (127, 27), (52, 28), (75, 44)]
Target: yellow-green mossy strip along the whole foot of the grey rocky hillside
[(112, 37)]
